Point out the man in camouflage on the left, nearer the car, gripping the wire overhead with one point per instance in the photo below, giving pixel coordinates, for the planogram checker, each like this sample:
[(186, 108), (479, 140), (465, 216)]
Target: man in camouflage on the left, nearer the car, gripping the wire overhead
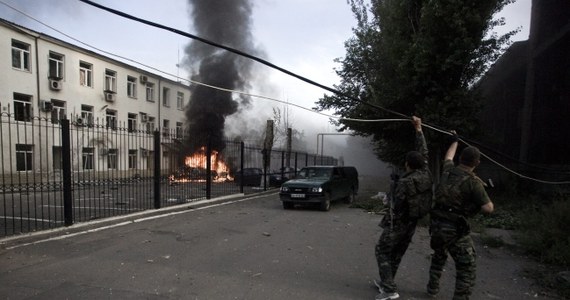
[(398, 226)]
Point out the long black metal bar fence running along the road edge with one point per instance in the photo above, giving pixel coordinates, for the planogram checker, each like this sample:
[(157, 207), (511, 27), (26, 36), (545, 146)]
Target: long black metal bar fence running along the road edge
[(57, 172)]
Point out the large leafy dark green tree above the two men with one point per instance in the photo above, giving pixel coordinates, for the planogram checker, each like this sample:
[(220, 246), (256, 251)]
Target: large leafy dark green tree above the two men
[(415, 57)]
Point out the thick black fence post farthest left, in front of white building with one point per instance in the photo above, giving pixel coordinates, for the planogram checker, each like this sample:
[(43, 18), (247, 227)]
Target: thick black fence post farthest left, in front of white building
[(66, 169)]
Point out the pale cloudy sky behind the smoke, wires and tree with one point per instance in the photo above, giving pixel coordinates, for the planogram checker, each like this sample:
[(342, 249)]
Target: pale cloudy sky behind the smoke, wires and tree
[(302, 36)]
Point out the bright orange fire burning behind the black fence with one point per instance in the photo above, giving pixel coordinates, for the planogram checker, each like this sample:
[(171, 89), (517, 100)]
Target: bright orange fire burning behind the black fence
[(198, 162)]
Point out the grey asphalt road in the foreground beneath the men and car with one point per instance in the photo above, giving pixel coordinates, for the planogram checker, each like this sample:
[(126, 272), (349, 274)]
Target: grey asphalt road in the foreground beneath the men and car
[(236, 249)]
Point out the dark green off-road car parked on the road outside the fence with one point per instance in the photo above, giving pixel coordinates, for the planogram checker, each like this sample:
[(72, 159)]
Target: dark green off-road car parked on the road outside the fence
[(320, 185)]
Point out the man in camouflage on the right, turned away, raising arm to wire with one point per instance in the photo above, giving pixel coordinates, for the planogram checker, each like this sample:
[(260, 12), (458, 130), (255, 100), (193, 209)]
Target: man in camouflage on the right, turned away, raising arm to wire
[(459, 196)]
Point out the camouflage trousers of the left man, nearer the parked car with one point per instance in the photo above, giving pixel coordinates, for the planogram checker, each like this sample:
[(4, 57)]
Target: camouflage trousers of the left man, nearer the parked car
[(390, 249)]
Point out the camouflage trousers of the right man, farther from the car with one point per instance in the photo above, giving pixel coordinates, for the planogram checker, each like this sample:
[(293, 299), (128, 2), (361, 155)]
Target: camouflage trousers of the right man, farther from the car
[(446, 239)]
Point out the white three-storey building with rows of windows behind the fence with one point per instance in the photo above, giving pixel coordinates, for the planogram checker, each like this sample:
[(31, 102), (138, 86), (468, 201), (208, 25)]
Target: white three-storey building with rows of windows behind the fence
[(44, 78)]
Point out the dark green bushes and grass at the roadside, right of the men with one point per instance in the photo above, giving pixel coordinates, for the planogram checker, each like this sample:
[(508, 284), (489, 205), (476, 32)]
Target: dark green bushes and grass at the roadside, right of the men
[(540, 223)]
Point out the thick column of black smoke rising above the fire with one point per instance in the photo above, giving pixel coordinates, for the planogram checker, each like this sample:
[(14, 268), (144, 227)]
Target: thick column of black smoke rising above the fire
[(226, 22)]
